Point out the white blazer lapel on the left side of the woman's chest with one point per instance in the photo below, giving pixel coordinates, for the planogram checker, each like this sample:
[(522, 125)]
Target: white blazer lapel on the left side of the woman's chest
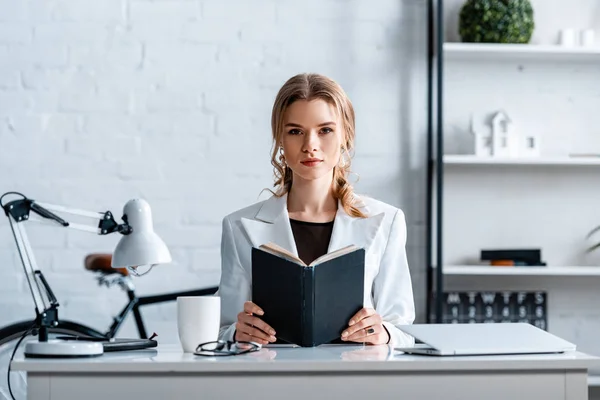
[(271, 224)]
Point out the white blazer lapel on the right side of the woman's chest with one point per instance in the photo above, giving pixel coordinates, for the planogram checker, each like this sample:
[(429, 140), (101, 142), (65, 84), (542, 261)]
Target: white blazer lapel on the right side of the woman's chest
[(348, 230)]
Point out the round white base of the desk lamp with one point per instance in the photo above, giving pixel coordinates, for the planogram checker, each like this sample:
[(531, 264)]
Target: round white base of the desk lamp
[(62, 349)]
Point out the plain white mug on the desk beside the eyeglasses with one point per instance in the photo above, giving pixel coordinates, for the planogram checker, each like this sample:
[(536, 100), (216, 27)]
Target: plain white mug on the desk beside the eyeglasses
[(198, 319)]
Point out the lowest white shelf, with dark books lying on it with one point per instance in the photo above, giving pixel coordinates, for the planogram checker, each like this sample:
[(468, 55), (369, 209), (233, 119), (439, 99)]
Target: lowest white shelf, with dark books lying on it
[(521, 271)]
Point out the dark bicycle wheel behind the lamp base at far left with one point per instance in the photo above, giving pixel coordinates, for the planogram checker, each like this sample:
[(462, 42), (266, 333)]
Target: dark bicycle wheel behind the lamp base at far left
[(10, 335)]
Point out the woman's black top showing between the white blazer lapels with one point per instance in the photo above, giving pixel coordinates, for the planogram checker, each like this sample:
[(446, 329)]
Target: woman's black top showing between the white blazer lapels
[(312, 238)]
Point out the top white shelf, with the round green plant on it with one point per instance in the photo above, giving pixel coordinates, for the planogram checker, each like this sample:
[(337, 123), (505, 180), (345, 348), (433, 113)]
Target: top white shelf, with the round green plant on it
[(494, 51)]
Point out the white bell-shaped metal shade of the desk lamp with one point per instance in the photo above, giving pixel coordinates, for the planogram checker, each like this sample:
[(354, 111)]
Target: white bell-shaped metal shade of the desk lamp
[(142, 247)]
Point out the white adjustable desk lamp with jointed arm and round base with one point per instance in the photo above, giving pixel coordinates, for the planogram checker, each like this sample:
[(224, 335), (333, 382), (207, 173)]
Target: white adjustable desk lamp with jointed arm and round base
[(139, 247)]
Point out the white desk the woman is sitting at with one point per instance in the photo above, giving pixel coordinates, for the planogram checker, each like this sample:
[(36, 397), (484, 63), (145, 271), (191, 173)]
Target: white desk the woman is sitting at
[(329, 372)]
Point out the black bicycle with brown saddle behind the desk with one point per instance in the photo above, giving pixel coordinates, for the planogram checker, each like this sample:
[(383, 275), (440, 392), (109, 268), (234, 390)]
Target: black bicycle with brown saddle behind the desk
[(100, 264)]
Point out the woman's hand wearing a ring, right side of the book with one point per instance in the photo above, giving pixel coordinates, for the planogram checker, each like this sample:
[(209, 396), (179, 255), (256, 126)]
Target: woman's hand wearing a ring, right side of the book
[(366, 327)]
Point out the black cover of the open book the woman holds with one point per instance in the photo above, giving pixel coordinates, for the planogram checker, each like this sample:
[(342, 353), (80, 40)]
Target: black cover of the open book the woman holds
[(308, 306)]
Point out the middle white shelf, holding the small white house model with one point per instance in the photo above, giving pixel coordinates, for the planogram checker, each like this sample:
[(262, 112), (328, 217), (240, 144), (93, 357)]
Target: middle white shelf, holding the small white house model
[(474, 160)]
